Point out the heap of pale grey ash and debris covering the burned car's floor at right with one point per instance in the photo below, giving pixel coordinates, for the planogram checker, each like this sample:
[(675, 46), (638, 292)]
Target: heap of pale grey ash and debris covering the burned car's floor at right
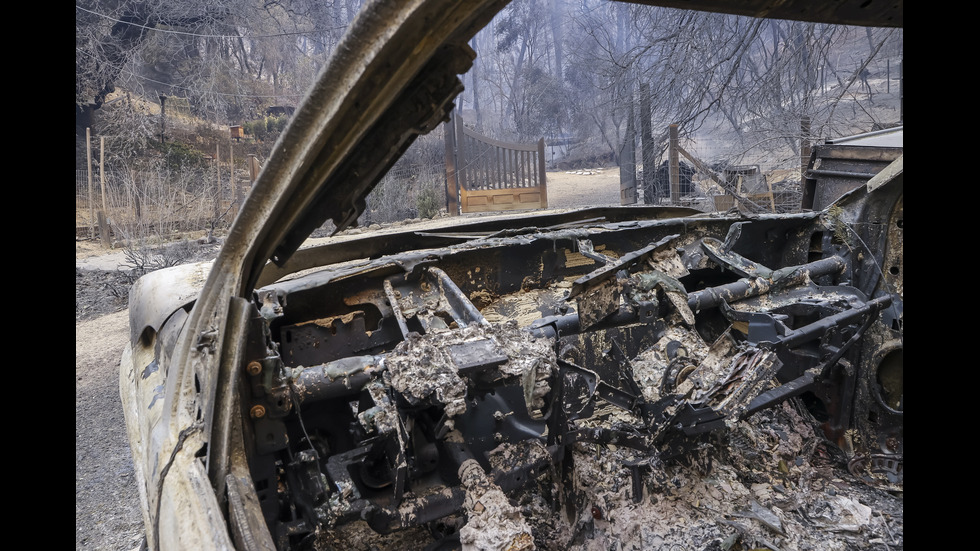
[(770, 483)]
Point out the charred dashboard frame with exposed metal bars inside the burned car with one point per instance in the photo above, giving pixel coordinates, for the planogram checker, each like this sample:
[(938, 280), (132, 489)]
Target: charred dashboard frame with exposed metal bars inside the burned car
[(371, 387)]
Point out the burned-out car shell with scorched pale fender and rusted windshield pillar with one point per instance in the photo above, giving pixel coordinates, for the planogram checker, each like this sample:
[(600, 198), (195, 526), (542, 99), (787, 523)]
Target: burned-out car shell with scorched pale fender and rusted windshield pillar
[(414, 380)]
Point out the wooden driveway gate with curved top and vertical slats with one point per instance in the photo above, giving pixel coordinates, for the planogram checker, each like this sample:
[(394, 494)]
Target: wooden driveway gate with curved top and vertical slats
[(483, 174)]
